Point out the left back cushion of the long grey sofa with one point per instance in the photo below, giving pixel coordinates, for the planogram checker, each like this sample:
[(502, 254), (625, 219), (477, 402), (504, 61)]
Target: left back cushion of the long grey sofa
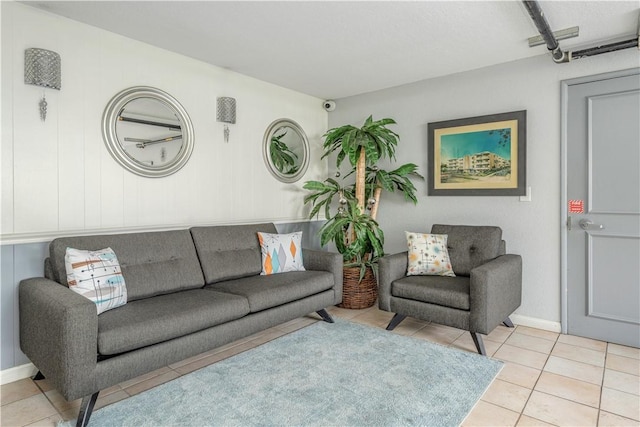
[(152, 263)]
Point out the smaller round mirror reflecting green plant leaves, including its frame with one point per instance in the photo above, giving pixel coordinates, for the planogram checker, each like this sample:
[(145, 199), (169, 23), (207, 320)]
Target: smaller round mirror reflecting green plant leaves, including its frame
[(286, 150)]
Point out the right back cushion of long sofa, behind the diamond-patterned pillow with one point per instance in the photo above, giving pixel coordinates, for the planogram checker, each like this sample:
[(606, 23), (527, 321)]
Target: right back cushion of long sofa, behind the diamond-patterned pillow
[(229, 251)]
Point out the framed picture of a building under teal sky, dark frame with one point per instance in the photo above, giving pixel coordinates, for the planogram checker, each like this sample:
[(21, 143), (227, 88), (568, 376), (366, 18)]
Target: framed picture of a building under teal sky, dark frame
[(478, 156)]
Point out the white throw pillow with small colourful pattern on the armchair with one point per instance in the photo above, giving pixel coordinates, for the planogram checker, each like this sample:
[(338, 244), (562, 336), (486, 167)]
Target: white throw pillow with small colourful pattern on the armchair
[(428, 255)]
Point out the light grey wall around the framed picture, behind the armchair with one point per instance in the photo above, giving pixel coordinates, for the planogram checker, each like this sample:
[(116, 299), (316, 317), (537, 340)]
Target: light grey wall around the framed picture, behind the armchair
[(531, 229)]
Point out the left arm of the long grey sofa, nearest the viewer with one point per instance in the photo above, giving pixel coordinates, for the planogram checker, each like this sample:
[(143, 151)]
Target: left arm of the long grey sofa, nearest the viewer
[(59, 333)]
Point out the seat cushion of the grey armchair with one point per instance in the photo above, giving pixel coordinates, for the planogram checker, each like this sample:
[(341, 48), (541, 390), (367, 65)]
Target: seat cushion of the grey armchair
[(445, 291)]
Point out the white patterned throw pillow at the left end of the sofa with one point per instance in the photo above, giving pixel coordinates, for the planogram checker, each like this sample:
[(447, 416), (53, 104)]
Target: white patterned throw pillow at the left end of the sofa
[(96, 275)]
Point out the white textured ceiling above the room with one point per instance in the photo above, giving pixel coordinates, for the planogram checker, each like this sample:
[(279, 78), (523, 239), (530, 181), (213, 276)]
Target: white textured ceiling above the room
[(334, 49)]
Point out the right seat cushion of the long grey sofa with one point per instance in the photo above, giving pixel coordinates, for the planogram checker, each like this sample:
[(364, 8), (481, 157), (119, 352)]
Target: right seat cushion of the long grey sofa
[(265, 292)]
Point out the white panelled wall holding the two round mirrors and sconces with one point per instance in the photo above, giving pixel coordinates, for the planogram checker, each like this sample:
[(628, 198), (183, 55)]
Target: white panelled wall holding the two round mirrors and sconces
[(58, 177)]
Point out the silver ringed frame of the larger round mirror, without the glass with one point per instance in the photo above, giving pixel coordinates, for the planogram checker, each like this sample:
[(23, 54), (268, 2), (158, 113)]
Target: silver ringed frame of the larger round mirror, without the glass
[(110, 119)]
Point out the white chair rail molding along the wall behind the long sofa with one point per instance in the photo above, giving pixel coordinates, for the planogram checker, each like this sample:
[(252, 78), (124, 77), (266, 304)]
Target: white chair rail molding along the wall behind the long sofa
[(47, 236)]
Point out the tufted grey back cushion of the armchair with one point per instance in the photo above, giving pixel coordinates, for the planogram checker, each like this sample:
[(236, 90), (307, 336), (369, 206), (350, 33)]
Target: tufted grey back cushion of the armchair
[(470, 245)]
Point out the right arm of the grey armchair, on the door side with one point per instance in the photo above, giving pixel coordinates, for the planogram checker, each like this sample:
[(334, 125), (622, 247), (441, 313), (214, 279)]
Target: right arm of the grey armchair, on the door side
[(495, 292)]
